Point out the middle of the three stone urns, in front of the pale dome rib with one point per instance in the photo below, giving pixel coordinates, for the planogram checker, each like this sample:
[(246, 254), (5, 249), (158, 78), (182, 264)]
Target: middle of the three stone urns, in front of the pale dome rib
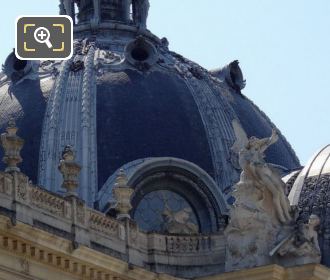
[(70, 171)]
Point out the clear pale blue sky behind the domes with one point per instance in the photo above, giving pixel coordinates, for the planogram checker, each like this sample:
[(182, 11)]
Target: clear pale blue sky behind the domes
[(283, 48)]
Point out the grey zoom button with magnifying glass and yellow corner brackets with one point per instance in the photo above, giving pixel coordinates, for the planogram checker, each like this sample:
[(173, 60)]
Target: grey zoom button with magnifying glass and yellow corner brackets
[(46, 37)]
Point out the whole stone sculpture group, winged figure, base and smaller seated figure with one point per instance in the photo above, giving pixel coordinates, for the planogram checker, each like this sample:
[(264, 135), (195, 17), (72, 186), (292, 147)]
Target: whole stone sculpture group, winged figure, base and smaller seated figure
[(262, 229)]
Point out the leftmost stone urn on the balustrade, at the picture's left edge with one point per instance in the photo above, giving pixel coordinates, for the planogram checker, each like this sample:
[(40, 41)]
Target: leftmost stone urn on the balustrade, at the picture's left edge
[(12, 146)]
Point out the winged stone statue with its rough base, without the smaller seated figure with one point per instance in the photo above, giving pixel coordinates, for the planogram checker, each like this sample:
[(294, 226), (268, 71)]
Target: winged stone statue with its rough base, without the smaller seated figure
[(261, 212)]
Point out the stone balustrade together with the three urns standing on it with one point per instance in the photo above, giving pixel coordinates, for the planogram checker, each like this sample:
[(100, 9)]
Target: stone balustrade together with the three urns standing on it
[(69, 217)]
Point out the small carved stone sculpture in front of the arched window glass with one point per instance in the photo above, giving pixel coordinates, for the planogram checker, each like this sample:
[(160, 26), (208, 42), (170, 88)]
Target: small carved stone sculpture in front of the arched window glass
[(178, 222)]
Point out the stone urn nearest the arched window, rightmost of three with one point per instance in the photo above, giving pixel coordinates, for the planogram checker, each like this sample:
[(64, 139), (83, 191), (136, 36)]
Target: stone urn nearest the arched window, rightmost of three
[(122, 194)]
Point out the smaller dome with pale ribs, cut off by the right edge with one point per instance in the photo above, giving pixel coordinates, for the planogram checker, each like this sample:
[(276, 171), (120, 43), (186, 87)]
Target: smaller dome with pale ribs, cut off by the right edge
[(311, 194)]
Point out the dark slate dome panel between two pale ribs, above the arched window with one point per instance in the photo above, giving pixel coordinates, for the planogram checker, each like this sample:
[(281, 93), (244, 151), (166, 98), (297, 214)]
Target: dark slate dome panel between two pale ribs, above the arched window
[(147, 116)]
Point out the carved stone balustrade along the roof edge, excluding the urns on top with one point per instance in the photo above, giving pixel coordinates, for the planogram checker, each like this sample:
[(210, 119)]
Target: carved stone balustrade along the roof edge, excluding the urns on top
[(70, 218)]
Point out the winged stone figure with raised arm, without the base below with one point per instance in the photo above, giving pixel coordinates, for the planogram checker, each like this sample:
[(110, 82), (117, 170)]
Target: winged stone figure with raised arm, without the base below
[(255, 169)]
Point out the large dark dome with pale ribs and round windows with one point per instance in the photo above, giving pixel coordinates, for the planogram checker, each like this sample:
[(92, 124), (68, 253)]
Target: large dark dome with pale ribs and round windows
[(124, 97)]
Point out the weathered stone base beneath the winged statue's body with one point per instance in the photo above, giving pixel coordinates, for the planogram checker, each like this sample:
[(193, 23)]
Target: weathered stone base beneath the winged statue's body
[(253, 228)]
